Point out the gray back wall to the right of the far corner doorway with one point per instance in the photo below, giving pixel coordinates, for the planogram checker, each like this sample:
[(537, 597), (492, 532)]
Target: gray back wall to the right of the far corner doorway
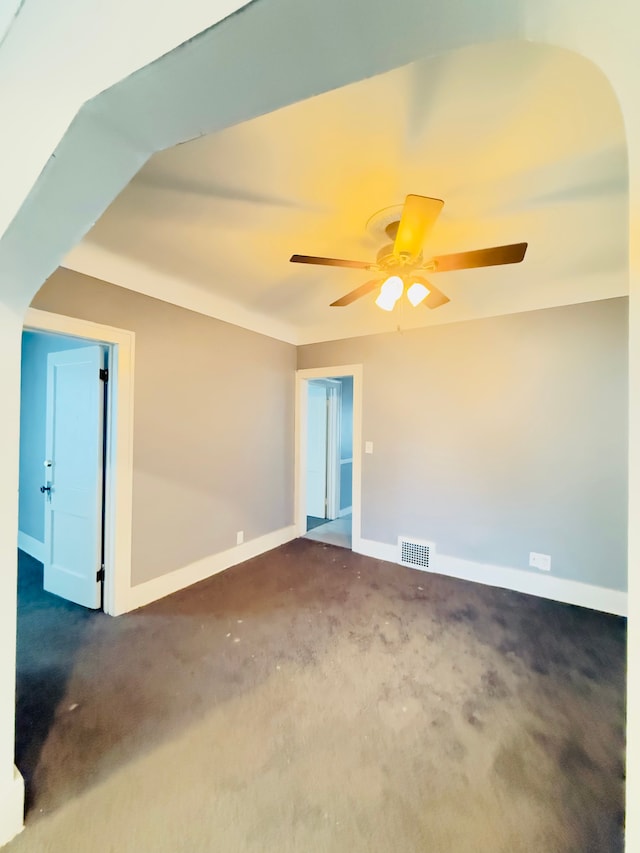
[(497, 437)]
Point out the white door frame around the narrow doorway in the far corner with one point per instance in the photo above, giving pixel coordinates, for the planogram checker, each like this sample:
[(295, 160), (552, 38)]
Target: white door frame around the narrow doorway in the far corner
[(301, 421)]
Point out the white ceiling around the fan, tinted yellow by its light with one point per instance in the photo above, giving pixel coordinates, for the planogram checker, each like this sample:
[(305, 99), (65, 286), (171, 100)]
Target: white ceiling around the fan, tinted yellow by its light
[(523, 142)]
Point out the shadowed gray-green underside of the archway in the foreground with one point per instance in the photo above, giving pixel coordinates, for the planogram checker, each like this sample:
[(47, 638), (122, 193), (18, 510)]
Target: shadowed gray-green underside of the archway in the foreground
[(232, 74)]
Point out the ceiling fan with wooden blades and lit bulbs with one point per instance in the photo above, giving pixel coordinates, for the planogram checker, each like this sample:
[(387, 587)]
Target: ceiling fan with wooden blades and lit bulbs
[(400, 262)]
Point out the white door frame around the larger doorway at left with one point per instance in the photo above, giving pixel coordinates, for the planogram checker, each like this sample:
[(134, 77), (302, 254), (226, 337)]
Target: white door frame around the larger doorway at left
[(119, 461)]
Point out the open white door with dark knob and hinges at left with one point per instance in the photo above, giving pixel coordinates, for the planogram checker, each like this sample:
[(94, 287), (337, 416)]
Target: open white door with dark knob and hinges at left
[(73, 475)]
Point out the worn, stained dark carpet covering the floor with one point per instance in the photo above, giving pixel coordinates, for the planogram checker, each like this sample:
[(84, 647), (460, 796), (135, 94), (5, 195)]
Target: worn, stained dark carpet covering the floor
[(315, 700)]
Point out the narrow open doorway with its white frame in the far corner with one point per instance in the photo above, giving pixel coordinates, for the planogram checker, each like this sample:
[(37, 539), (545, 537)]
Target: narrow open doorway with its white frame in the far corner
[(328, 417)]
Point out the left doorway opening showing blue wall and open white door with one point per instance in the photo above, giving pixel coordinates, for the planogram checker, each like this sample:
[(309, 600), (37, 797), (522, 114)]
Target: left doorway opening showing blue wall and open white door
[(64, 435)]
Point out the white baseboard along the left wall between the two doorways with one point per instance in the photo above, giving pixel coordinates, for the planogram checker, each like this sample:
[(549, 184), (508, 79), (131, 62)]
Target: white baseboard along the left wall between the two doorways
[(157, 588)]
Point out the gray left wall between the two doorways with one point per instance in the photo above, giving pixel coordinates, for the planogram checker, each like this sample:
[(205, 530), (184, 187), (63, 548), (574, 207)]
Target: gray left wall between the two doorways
[(213, 433)]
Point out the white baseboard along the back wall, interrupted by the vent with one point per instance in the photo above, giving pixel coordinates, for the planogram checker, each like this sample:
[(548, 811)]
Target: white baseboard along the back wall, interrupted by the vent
[(519, 580)]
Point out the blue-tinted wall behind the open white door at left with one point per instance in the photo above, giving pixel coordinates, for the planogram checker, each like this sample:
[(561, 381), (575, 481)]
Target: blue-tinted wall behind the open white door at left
[(36, 346)]
